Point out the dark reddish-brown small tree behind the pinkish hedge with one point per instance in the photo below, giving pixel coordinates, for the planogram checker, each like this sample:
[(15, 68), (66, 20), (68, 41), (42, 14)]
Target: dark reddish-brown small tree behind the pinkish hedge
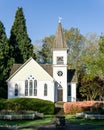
[(92, 89)]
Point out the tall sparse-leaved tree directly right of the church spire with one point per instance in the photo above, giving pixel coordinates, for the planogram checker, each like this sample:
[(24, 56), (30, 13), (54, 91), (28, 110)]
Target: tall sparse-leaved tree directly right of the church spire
[(75, 42)]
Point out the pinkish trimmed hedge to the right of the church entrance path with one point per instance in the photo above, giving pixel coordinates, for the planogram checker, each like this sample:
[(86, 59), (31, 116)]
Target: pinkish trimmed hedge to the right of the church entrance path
[(76, 107)]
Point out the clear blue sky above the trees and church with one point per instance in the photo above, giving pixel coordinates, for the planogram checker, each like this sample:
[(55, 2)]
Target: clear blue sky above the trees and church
[(42, 16)]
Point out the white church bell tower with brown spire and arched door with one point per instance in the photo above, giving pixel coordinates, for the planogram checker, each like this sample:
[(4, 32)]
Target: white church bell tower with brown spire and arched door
[(60, 65)]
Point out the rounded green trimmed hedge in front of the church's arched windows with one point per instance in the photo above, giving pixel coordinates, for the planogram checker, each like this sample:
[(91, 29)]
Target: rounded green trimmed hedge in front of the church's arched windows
[(26, 104)]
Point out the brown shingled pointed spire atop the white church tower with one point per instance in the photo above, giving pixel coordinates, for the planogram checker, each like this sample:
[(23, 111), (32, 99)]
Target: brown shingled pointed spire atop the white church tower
[(59, 41)]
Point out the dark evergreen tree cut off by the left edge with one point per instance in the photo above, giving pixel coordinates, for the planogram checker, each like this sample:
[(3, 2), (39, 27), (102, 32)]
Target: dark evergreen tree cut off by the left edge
[(5, 61)]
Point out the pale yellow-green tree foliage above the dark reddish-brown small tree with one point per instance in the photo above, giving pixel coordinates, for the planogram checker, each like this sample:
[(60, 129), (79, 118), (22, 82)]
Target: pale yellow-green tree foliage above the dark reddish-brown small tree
[(89, 54)]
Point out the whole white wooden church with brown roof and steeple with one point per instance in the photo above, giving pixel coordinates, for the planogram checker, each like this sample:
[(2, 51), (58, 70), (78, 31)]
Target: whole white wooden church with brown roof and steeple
[(53, 82)]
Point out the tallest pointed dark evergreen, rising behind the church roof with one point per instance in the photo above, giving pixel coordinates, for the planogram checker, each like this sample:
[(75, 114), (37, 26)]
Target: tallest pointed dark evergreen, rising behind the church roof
[(20, 43)]
